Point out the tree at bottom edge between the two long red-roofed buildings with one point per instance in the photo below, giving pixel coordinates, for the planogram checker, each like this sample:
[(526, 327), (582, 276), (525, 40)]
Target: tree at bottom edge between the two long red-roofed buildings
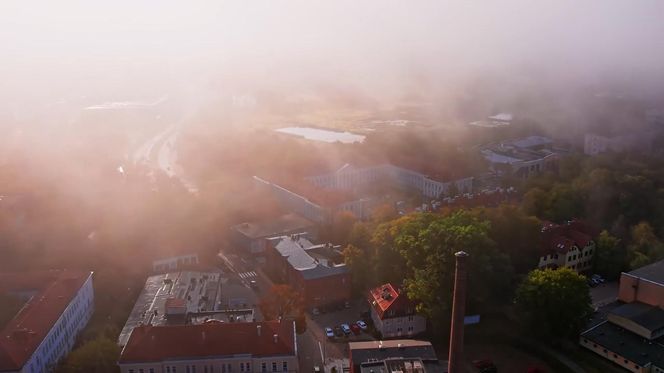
[(97, 355)]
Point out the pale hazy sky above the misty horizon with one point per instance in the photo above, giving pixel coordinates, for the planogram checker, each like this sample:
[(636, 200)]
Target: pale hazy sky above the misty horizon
[(366, 40)]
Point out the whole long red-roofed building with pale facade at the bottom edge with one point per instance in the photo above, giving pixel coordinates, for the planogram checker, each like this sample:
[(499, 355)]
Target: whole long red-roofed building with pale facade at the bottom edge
[(213, 347)]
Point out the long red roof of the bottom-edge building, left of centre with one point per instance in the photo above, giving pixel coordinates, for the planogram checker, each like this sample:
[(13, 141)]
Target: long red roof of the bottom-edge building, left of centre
[(158, 343)]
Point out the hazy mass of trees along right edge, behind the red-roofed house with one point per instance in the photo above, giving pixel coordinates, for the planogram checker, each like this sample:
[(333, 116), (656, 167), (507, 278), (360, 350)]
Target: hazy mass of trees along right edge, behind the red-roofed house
[(622, 194)]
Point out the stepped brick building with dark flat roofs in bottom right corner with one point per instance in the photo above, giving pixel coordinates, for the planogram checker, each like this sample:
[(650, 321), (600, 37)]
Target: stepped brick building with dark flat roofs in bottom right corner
[(632, 335)]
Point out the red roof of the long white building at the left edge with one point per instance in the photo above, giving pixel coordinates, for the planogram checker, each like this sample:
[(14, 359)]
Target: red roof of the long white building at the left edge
[(53, 290)]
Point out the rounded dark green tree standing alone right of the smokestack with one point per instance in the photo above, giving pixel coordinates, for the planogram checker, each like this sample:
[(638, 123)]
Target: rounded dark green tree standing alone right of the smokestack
[(554, 303)]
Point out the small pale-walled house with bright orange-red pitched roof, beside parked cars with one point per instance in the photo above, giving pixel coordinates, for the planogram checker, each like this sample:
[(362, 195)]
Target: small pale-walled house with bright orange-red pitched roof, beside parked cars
[(393, 314)]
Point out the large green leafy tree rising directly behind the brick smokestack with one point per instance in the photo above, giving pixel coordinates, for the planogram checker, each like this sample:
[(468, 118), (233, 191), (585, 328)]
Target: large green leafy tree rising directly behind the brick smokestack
[(428, 242)]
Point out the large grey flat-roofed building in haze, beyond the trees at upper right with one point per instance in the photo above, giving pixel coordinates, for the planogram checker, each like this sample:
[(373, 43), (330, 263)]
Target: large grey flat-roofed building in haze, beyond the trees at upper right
[(523, 158)]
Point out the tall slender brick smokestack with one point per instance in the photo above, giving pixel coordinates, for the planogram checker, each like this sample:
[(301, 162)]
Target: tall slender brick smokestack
[(455, 363)]
